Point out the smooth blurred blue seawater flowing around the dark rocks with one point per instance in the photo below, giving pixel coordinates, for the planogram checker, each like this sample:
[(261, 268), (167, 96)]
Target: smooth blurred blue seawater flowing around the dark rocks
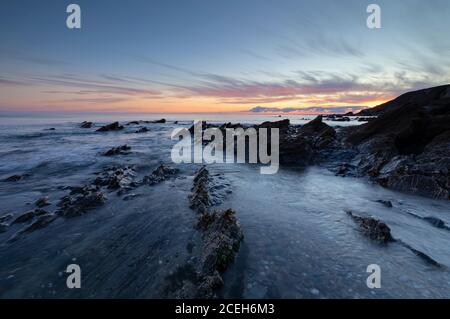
[(299, 243)]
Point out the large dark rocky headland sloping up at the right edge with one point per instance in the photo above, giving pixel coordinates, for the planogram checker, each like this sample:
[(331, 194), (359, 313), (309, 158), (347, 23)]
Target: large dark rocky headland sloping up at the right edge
[(407, 147)]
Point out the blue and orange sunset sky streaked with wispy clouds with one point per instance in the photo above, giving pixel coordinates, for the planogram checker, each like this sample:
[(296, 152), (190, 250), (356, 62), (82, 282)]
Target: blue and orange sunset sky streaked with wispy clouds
[(218, 55)]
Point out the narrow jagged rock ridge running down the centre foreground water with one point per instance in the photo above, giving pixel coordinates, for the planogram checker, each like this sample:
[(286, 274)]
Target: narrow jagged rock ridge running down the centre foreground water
[(221, 238)]
